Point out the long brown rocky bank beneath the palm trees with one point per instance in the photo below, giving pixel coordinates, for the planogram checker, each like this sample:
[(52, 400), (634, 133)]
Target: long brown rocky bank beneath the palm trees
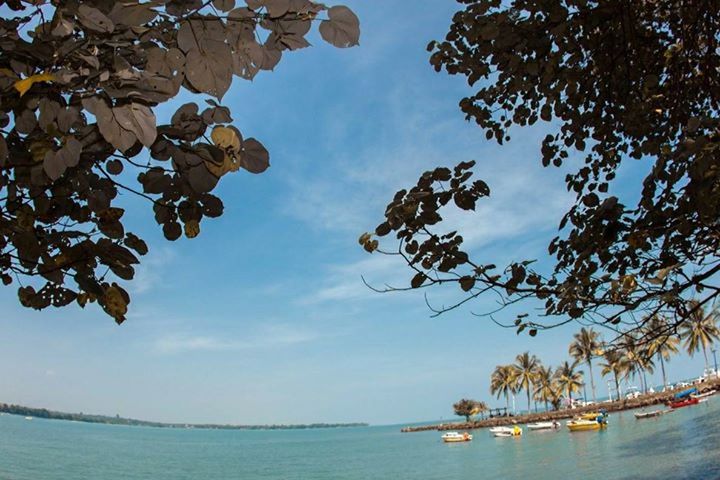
[(616, 406)]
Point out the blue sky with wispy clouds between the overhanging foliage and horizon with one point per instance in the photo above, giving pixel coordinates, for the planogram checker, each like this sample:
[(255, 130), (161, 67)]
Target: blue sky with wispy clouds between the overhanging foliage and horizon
[(263, 318)]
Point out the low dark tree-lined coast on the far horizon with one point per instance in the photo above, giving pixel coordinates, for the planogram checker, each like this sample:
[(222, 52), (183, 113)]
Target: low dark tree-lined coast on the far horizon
[(118, 420)]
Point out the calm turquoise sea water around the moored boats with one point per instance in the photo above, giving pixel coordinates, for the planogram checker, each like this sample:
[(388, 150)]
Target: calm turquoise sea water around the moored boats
[(684, 444)]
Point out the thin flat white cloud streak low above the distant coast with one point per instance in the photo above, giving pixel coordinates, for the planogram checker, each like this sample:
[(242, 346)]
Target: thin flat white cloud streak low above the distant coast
[(273, 336)]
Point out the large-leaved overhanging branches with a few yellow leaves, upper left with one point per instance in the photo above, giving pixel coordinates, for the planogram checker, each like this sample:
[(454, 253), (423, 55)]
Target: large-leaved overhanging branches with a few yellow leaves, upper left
[(79, 82)]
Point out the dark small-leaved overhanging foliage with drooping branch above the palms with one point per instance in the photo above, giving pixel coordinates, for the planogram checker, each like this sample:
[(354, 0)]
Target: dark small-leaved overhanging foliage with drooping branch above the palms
[(616, 82)]
